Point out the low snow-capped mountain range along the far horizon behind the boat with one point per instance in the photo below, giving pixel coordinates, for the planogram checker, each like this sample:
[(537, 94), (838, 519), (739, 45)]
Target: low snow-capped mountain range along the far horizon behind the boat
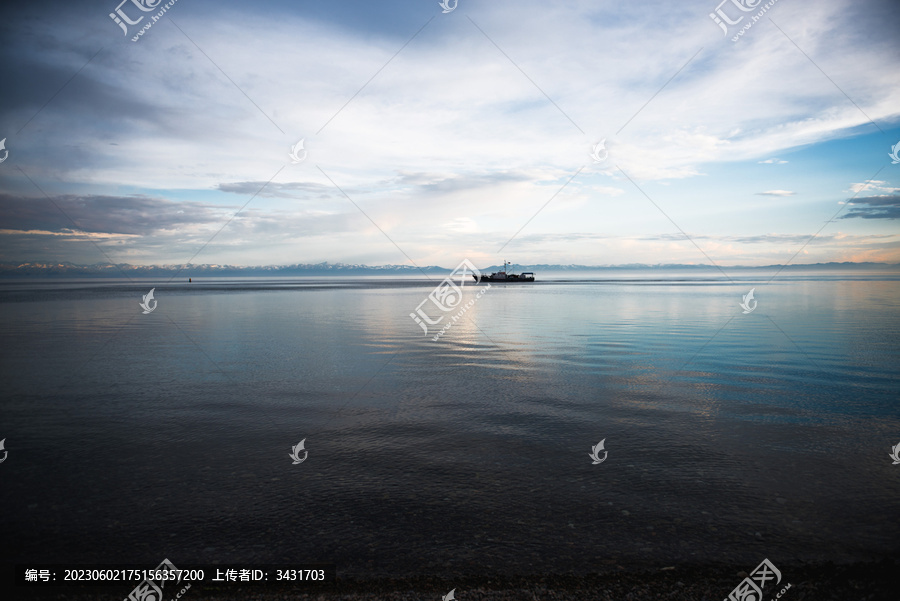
[(109, 270)]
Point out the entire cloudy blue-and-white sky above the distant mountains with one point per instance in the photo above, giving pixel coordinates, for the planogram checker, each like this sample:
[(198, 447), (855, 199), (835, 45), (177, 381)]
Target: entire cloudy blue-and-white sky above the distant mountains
[(582, 132)]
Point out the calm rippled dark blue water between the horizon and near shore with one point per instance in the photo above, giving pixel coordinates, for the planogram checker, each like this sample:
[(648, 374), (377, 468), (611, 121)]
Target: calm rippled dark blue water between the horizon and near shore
[(730, 437)]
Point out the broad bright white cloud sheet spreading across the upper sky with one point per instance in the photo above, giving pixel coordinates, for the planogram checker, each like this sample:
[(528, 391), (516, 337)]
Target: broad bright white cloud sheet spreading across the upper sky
[(450, 99)]
